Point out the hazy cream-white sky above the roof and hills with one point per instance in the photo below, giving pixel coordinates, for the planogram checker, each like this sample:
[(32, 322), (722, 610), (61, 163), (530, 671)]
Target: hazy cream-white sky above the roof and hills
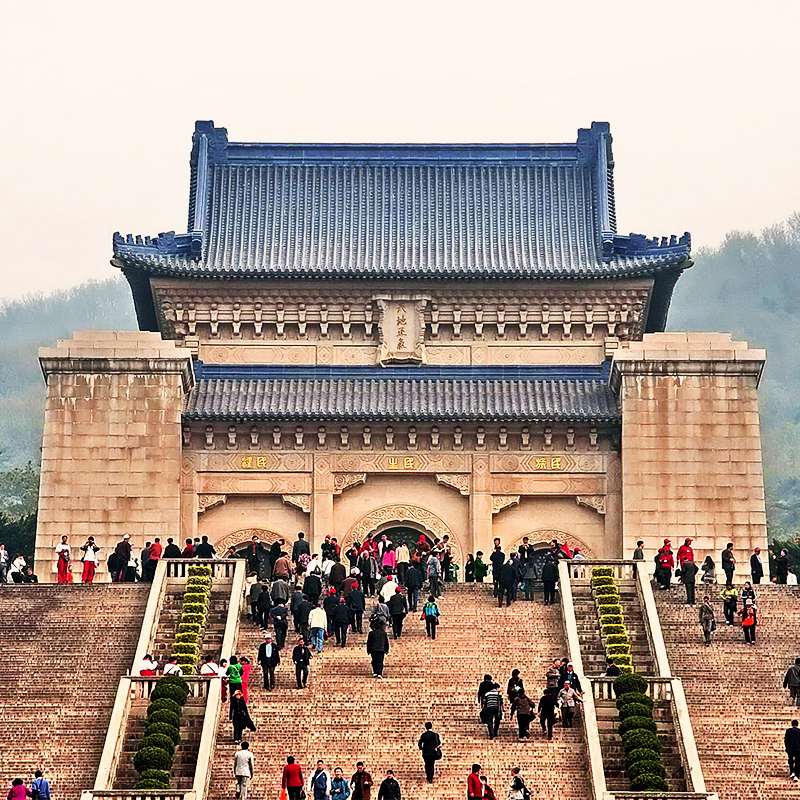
[(98, 102)]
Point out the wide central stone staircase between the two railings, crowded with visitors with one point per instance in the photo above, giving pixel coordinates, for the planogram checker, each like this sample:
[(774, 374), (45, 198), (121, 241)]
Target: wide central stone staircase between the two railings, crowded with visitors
[(346, 714)]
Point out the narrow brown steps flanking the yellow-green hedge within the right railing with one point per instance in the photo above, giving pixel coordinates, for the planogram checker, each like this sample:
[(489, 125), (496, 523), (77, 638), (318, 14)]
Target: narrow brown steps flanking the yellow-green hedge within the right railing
[(592, 649)]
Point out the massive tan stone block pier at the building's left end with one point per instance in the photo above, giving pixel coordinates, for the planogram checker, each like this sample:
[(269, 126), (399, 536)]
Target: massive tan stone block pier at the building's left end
[(111, 452)]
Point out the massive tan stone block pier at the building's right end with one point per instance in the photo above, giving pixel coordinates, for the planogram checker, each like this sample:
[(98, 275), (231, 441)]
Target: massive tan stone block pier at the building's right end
[(691, 444)]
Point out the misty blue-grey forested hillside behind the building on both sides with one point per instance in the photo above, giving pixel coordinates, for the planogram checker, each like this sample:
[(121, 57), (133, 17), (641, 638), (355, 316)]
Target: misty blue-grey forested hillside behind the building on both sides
[(748, 286)]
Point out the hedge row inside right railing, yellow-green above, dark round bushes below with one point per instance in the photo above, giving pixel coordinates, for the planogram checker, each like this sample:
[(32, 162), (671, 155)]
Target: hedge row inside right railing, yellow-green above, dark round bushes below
[(643, 762)]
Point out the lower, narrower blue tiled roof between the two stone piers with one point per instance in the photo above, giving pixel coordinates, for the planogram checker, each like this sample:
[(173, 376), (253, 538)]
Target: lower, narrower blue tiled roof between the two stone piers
[(267, 393)]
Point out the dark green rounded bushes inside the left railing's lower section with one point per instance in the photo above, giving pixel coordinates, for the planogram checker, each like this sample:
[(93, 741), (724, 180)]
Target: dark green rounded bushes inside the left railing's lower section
[(162, 733)]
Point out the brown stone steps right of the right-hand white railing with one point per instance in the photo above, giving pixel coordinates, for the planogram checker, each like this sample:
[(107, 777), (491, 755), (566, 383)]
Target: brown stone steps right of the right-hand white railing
[(738, 707)]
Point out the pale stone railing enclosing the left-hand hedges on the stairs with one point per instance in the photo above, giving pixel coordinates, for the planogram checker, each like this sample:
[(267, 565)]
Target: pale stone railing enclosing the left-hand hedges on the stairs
[(230, 571)]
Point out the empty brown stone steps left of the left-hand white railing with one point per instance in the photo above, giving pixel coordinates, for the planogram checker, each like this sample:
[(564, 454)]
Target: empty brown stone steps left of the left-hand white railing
[(66, 648)]
